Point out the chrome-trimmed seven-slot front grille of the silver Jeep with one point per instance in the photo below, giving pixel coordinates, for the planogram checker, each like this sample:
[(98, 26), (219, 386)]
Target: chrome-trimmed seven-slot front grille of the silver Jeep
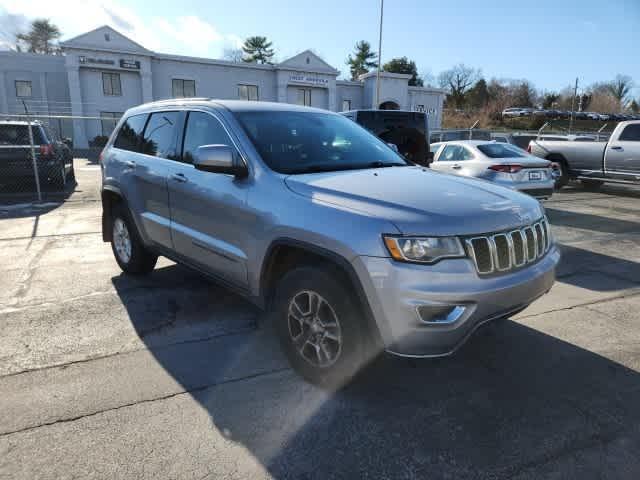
[(505, 251)]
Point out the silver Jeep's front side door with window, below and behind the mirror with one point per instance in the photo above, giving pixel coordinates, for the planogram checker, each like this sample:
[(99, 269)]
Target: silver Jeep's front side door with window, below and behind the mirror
[(209, 217)]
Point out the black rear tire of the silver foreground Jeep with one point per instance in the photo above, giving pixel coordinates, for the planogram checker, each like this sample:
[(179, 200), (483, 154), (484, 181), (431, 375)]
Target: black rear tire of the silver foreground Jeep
[(140, 260)]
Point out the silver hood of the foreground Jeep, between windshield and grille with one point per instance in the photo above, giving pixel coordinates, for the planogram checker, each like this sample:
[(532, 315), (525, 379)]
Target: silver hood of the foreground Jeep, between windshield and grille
[(420, 201)]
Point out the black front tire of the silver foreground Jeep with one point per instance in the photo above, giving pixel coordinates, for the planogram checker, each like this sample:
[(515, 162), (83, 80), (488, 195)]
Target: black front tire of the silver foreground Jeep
[(356, 347)]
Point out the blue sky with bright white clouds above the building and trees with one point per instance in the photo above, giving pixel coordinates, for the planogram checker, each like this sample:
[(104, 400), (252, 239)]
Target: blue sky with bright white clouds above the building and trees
[(548, 42)]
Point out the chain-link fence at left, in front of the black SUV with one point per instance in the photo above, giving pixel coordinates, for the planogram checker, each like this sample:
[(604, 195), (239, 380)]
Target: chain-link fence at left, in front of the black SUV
[(37, 152)]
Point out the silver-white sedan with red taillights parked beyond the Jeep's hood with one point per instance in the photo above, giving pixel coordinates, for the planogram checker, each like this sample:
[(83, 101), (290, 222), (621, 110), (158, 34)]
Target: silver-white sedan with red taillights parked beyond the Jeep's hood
[(500, 163)]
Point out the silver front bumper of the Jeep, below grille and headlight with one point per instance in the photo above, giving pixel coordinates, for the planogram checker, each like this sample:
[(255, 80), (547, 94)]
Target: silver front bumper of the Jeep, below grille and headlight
[(396, 291)]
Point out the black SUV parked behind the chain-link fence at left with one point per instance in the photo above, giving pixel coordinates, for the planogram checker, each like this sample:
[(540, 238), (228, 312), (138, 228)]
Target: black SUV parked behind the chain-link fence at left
[(53, 157)]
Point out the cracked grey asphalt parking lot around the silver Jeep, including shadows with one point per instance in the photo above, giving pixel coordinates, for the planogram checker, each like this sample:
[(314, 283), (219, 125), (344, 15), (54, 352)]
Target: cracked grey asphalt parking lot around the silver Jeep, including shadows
[(171, 376)]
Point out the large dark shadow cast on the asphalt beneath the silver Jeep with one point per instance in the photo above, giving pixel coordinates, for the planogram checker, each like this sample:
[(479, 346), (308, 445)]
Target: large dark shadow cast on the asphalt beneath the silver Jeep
[(511, 402)]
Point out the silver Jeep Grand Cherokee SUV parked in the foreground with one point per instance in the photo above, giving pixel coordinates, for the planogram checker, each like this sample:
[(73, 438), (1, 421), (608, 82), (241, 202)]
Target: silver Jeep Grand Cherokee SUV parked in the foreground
[(308, 215)]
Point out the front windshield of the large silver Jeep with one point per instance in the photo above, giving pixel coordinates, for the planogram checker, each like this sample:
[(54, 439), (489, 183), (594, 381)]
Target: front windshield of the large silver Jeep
[(303, 142)]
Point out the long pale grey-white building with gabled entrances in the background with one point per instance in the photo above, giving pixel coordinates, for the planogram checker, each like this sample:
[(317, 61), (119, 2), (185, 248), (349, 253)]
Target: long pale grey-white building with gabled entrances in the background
[(103, 73)]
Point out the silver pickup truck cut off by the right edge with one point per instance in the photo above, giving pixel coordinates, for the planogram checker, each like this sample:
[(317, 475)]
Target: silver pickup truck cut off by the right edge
[(594, 163)]
